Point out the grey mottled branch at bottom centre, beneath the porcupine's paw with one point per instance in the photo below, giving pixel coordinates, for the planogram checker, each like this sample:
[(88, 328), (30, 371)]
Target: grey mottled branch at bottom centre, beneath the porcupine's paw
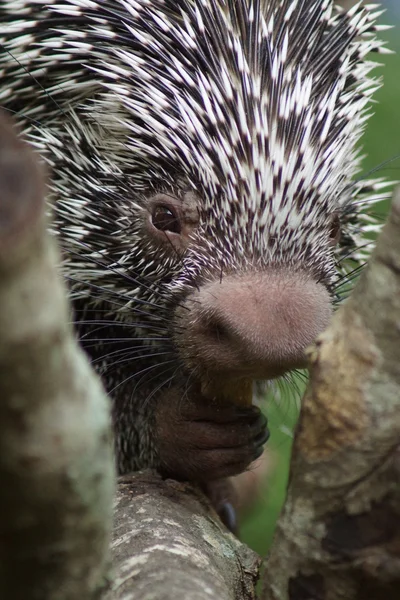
[(169, 544)]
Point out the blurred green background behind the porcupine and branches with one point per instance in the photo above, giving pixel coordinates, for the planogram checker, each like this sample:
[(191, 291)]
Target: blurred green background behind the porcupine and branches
[(381, 143)]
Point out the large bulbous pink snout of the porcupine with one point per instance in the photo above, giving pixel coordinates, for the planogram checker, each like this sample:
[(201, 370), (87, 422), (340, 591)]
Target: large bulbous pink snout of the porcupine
[(256, 324)]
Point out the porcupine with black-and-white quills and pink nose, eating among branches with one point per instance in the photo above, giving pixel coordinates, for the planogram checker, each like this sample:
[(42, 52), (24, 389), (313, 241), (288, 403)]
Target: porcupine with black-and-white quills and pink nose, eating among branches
[(202, 154)]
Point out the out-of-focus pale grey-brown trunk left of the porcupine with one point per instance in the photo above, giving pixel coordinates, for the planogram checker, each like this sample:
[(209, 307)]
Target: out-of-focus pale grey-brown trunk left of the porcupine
[(56, 462)]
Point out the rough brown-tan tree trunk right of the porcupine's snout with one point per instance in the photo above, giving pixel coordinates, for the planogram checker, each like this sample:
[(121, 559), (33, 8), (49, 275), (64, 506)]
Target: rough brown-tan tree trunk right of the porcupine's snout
[(339, 533)]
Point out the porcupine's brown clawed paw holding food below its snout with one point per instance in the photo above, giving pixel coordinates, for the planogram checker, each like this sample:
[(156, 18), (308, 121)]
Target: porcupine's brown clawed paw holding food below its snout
[(203, 441)]
